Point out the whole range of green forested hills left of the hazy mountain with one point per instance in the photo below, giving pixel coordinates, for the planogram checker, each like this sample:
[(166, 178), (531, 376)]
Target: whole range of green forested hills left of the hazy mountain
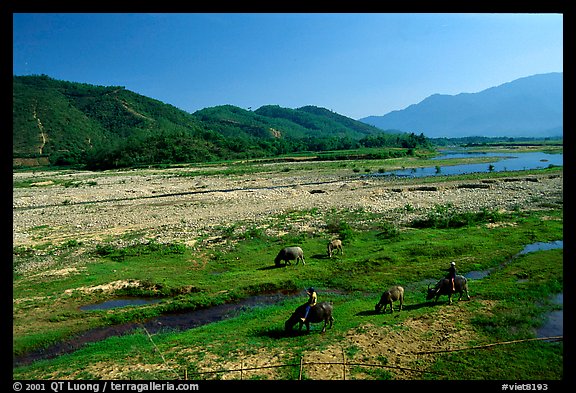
[(68, 123)]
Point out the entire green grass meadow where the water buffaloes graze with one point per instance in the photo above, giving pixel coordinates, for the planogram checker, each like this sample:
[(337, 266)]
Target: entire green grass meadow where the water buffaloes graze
[(377, 255)]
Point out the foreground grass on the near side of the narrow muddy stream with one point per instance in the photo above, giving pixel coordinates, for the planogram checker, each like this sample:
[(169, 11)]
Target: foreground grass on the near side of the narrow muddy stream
[(262, 329)]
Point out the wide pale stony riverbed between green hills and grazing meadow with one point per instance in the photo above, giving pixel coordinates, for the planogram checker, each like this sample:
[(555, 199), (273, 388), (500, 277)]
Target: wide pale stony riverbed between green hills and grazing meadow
[(83, 206)]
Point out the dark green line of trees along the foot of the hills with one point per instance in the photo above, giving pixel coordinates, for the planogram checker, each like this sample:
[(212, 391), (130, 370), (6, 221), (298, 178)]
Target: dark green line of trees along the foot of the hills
[(182, 147)]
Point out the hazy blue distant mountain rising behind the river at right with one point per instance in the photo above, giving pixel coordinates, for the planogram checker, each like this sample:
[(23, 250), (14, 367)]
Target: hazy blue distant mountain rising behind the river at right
[(526, 107)]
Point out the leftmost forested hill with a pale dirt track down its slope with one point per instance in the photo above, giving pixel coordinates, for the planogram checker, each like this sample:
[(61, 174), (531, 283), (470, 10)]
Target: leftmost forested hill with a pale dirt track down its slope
[(68, 121)]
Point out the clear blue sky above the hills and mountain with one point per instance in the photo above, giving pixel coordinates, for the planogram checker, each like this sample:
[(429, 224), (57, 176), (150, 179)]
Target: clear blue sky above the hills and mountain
[(354, 64)]
